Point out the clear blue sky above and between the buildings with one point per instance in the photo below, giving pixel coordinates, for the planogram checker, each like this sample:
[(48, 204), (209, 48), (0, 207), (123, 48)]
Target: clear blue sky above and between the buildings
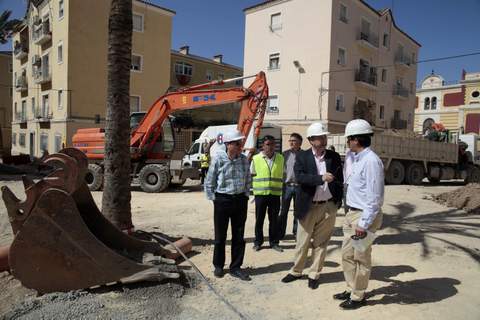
[(443, 27)]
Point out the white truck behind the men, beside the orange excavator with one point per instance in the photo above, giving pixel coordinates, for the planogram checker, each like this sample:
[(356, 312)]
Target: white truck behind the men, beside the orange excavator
[(194, 154)]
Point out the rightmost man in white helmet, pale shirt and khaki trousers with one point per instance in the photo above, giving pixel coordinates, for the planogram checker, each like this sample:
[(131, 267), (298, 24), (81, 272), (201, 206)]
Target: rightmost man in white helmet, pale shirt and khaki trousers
[(364, 199)]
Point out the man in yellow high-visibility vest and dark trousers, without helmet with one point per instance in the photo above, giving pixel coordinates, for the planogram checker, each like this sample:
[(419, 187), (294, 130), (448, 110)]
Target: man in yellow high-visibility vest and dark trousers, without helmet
[(267, 171)]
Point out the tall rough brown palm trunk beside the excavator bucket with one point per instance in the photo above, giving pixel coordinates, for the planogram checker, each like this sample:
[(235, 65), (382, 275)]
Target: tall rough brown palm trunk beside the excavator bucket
[(116, 194)]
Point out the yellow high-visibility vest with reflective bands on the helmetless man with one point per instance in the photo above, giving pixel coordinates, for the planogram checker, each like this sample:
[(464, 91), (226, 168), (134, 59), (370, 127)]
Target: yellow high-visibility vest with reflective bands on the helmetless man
[(268, 181)]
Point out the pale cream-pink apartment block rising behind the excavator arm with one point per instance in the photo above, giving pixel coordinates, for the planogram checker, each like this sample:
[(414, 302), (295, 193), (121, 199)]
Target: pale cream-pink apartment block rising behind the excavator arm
[(333, 61)]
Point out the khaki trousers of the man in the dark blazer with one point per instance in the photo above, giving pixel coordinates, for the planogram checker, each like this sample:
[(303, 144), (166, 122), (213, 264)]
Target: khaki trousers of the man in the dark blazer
[(315, 230)]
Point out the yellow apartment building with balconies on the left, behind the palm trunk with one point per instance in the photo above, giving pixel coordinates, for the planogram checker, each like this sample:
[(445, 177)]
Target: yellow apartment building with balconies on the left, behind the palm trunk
[(60, 69)]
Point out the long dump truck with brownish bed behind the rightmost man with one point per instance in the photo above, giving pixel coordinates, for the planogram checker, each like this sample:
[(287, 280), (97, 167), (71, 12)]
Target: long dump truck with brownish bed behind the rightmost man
[(409, 160)]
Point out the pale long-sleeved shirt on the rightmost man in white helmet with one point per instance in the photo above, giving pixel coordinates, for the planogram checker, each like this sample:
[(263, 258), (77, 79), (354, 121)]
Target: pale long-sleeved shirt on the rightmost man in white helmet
[(366, 186)]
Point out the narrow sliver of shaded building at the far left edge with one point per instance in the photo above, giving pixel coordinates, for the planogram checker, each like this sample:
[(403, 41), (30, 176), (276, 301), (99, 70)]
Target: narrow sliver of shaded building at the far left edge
[(6, 92)]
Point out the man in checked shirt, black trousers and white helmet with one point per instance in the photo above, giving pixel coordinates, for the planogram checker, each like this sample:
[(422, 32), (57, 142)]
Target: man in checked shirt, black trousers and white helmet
[(228, 184)]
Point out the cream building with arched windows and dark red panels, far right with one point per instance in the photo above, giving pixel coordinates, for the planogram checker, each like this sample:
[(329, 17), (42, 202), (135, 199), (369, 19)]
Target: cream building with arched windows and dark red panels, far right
[(455, 105)]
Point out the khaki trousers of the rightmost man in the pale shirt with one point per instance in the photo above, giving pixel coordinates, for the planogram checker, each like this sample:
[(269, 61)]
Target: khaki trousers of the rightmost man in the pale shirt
[(357, 265)]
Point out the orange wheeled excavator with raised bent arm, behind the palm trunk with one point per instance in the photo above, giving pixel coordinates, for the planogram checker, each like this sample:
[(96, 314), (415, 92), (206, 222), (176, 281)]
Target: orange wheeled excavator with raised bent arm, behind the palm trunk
[(152, 142)]
